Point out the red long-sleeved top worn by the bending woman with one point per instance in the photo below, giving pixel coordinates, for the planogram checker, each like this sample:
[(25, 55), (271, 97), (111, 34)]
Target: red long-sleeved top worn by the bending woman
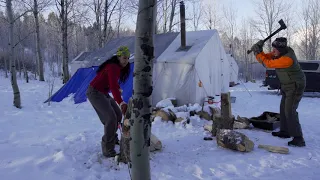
[(107, 79)]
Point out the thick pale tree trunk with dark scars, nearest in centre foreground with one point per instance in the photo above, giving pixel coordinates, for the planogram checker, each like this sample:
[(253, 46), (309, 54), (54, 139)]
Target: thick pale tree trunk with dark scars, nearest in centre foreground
[(142, 84)]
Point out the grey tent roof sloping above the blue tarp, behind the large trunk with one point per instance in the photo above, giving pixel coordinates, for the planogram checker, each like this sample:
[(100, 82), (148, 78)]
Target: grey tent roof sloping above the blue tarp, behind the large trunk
[(161, 42)]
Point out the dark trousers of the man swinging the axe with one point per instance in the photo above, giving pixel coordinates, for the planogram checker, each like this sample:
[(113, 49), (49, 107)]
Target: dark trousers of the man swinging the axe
[(289, 117)]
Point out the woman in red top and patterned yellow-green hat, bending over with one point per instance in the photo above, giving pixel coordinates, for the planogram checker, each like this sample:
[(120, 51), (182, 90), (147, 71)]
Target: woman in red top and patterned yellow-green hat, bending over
[(109, 73)]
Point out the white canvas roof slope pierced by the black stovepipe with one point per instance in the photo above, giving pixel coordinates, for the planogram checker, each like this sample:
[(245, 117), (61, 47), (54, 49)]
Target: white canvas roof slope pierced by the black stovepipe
[(196, 39)]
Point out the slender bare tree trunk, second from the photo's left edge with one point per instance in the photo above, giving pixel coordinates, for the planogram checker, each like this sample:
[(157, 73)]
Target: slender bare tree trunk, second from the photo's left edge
[(39, 57)]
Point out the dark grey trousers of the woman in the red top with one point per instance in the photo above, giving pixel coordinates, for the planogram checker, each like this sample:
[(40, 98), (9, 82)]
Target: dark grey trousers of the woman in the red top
[(109, 114)]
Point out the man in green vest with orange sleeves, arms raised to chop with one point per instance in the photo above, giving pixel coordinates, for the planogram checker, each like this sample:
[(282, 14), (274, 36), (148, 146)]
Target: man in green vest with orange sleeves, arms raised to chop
[(292, 81)]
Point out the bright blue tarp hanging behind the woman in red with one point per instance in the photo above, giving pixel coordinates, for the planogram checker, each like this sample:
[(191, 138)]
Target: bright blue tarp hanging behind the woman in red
[(80, 81)]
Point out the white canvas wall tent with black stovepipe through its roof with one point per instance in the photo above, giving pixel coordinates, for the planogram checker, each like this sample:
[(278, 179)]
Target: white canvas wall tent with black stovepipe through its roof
[(177, 73)]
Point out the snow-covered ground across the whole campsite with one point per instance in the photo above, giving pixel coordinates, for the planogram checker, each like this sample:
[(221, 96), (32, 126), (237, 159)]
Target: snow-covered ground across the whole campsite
[(62, 141)]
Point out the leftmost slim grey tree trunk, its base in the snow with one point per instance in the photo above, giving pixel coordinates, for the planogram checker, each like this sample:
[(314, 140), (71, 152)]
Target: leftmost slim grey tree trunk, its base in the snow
[(15, 88)]
